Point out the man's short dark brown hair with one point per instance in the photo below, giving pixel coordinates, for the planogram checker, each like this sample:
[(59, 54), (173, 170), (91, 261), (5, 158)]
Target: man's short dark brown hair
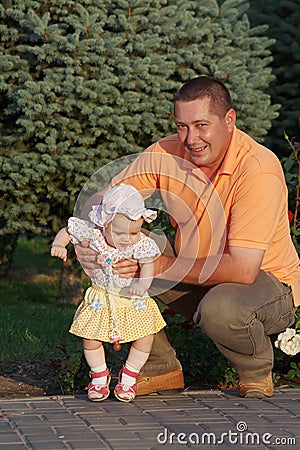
[(204, 86)]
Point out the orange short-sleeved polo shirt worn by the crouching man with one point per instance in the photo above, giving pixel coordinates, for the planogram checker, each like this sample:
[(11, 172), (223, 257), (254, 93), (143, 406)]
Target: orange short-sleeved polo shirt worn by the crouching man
[(244, 206)]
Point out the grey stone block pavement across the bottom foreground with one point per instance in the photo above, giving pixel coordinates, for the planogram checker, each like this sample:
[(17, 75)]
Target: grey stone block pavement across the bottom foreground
[(188, 420)]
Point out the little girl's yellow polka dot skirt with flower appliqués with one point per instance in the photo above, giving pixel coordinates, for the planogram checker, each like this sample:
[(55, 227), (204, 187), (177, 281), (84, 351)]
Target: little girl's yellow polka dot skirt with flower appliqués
[(137, 317)]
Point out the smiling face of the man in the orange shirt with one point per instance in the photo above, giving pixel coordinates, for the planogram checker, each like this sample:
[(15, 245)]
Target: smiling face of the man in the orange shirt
[(204, 135)]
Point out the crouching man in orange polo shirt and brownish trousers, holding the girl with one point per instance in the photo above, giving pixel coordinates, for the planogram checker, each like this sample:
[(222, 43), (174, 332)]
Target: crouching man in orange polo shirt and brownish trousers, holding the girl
[(234, 269)]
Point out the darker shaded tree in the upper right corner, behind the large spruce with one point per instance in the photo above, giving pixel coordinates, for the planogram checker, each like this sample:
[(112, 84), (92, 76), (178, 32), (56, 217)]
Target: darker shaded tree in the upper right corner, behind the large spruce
[(283, 20)]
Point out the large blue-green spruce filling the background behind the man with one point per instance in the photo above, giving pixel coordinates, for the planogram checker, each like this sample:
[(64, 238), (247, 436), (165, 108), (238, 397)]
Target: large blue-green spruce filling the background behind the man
[(83, 83)]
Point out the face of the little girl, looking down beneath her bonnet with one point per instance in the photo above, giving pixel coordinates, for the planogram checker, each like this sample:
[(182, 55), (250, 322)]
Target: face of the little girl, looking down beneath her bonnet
[(122, 231)]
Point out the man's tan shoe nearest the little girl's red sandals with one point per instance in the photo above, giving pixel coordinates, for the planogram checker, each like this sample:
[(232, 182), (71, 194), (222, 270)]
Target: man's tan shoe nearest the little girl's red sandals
[(167, 381)]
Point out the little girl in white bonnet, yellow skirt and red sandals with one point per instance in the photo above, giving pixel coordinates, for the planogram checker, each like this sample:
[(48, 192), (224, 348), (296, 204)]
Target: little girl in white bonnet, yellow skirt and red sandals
[(115, 309)]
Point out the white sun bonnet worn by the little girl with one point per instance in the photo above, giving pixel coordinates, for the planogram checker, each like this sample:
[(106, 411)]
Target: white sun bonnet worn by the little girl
[(123, 199)]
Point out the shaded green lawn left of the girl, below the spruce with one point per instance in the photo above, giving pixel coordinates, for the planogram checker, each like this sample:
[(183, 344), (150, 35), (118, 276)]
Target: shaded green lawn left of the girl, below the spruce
[(33, 321)]
